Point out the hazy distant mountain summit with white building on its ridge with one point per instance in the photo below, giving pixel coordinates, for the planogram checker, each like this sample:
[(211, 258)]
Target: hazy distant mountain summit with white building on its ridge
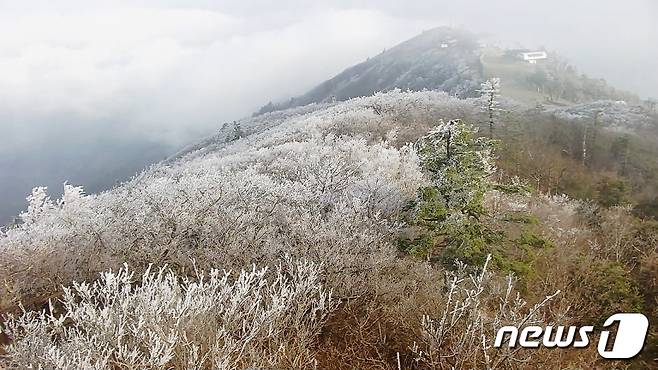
[(457, 62)]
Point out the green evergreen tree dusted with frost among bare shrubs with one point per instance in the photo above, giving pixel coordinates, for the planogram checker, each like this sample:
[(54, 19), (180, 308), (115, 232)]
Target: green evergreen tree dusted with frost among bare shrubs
[(448, 210)]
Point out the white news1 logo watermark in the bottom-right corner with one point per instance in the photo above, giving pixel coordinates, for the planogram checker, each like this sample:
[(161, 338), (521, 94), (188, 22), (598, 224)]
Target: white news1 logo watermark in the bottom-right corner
[(628, 342)]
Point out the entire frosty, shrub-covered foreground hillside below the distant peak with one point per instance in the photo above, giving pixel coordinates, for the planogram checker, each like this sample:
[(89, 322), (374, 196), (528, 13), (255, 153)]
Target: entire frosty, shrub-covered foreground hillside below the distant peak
[(329, 197)]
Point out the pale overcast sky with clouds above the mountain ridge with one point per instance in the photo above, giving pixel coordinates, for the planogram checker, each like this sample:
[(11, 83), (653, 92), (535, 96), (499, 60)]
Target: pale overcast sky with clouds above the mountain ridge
[(76, 75)]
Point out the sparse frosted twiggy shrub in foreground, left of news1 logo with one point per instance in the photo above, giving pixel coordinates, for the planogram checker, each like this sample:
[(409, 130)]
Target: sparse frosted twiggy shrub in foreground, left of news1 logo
[(461, 331)]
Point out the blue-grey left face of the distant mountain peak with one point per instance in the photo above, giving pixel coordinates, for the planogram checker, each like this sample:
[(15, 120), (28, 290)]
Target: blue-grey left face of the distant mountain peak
[(439, 59)]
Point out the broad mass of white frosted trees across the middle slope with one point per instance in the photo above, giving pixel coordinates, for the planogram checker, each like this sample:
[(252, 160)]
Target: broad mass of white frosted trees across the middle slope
[(317, 182)]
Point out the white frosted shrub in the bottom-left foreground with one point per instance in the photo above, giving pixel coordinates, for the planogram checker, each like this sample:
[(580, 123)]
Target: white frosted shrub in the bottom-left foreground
[(257, 319)]
